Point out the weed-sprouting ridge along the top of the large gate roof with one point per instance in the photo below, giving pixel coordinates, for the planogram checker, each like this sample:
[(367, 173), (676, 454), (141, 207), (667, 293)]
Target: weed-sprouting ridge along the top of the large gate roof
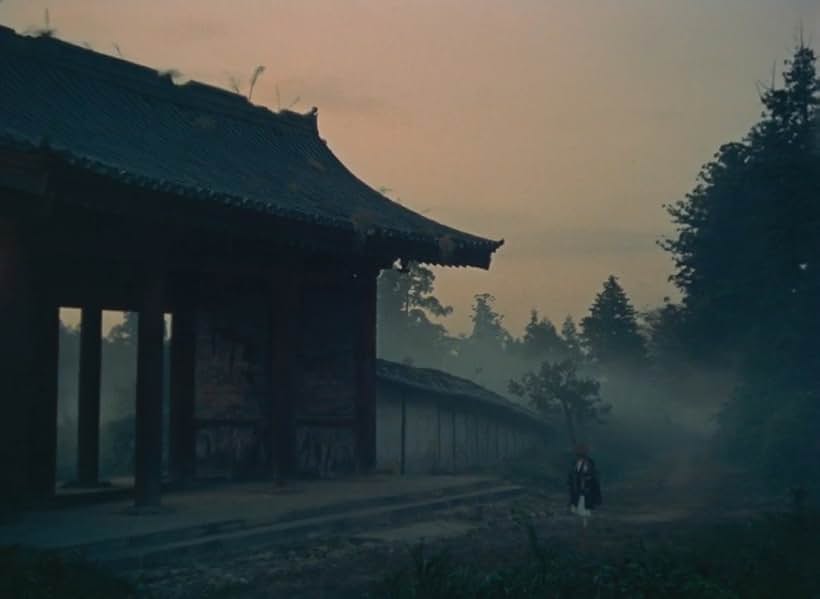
[(157, 83)]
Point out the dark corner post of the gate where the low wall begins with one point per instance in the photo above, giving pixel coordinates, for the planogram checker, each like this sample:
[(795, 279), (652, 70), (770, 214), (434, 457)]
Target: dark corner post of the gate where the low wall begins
[(366, 360)]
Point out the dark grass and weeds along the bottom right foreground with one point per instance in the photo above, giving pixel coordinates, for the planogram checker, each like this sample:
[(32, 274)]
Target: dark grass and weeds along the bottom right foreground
[(767, 557)]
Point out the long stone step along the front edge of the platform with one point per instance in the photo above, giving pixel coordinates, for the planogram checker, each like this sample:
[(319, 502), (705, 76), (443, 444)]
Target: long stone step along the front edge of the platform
[(232, 536)]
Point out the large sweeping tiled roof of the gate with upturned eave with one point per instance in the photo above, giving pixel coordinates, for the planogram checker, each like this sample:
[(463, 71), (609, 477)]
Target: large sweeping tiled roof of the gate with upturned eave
[(132, 123)]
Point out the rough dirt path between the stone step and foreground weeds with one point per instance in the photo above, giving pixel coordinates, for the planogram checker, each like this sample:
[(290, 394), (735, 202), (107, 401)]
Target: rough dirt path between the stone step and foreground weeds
[(651, 510)]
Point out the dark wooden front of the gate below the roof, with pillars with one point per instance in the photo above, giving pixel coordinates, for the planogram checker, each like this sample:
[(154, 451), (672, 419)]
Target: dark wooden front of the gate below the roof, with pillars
[(312, 346)]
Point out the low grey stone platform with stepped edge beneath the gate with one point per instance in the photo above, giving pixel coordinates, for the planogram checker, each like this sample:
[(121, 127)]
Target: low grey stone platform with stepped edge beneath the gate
[(231, 517)]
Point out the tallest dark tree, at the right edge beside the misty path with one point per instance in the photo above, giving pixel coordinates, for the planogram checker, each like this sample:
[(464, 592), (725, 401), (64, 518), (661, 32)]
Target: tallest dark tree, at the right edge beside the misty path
[(747, 254)]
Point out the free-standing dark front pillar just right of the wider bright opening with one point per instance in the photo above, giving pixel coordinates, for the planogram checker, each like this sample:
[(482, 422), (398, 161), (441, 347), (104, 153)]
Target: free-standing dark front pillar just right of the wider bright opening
[(148, 458)]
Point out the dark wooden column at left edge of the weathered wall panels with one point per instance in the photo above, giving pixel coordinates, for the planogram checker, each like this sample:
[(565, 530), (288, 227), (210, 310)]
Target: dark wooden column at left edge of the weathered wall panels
[(182, 433)]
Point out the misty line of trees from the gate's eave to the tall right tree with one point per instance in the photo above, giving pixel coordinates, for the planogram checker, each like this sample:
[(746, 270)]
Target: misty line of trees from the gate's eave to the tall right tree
[(743, 341)]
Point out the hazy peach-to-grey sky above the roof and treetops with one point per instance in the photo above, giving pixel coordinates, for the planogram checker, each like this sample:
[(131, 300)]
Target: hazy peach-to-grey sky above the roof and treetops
[(561, 126)]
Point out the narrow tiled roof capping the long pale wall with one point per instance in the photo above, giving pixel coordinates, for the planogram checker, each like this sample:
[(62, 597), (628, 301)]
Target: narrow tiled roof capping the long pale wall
[(441, 383)]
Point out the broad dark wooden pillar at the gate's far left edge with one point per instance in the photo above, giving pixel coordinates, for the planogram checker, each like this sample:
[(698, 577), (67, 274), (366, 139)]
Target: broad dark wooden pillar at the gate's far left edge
[(29, 328)]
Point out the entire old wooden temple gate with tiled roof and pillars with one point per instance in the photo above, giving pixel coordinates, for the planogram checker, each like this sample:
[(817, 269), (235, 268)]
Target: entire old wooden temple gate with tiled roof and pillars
[(123, 190)]
